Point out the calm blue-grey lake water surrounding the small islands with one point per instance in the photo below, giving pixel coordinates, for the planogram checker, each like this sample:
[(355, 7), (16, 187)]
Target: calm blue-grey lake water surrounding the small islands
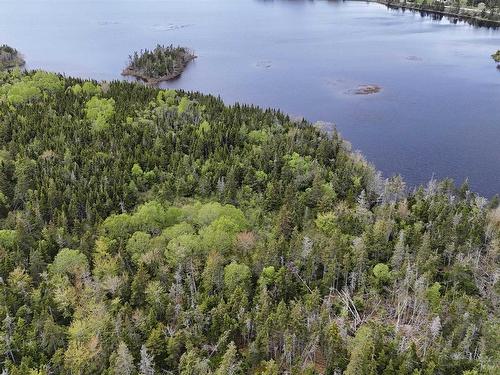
[(438, 113)]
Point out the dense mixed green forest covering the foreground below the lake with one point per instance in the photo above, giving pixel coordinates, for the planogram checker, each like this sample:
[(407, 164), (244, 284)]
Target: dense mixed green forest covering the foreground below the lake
[(147, 231)]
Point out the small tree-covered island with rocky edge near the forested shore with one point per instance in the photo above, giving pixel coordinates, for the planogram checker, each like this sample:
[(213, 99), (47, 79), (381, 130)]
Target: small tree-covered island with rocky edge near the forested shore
[(161, 64)]
